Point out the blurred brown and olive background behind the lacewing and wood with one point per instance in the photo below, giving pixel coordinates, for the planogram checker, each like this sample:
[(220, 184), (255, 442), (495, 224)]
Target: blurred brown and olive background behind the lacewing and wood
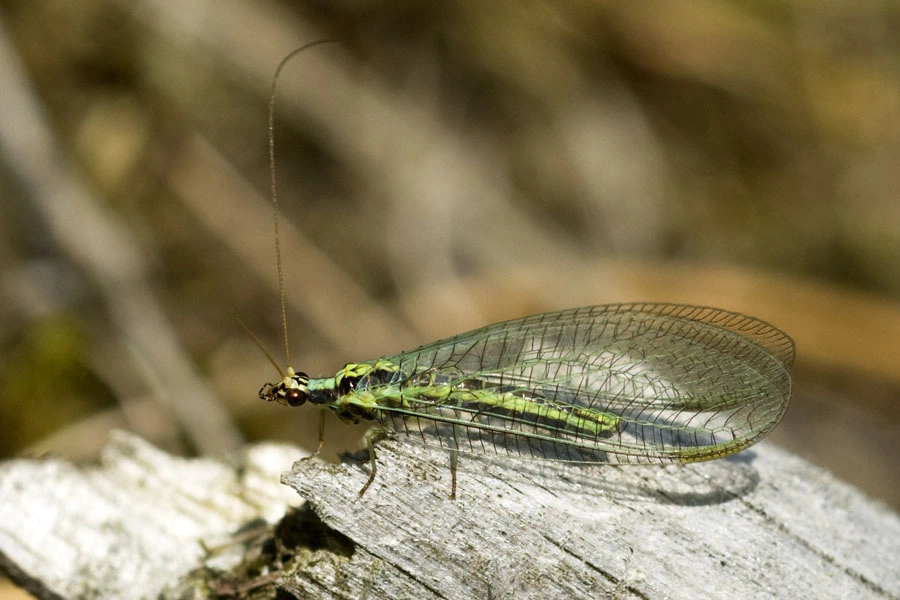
[(443, 167)]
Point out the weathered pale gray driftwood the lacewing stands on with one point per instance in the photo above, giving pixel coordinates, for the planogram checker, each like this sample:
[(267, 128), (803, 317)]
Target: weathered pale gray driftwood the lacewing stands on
[(763, 524)]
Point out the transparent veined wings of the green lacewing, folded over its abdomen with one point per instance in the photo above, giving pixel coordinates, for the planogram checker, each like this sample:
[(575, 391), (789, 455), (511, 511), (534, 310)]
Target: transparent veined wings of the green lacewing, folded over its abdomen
[(616, 383)]
